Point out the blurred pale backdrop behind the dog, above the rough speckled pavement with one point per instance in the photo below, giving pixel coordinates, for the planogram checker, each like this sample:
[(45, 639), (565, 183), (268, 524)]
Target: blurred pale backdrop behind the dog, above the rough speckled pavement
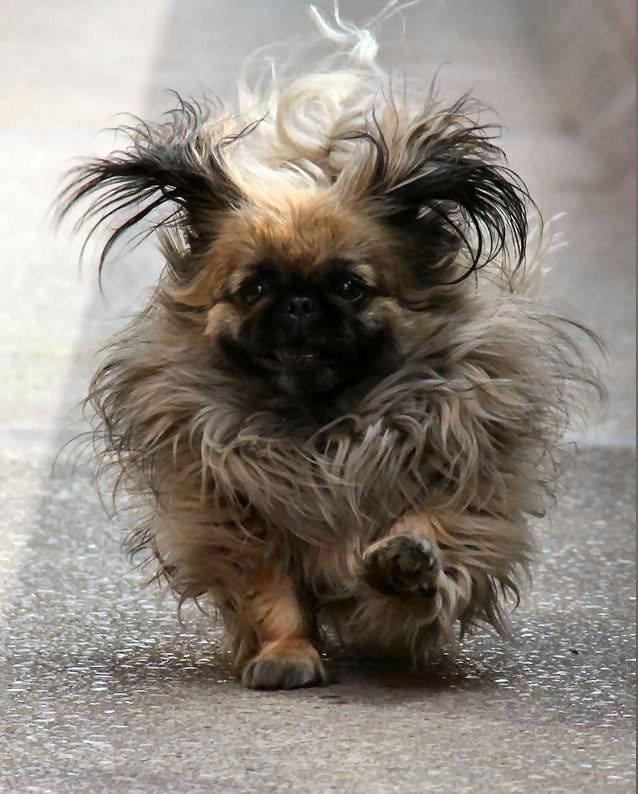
[(559, 73)]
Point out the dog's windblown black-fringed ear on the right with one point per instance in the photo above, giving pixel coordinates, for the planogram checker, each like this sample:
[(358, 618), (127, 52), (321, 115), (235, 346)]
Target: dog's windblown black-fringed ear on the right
[(442, 184)]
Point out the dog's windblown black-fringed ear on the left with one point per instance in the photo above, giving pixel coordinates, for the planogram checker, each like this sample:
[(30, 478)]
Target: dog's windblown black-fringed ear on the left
[(176, 164)]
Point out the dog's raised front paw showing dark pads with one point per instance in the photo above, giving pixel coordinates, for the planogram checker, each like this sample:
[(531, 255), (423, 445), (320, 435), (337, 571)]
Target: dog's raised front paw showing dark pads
[(402, 564)]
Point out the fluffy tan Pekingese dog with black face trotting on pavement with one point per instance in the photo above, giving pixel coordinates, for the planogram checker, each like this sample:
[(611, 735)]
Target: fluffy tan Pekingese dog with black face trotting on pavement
[(343, 399)]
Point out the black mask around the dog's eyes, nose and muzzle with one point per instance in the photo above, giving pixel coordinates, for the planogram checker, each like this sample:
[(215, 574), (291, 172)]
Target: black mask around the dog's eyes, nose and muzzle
[(307, 333)]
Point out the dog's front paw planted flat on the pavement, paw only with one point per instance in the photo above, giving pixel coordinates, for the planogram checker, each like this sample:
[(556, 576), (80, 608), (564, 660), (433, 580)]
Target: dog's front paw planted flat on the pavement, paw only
[(285, 666)]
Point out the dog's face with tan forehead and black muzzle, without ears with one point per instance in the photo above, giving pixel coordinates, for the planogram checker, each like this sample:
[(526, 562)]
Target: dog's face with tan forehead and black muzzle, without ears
[(299, 295)]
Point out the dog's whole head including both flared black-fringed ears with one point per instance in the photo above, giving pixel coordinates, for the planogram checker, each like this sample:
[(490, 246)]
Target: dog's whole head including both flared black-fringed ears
[(311, 285)]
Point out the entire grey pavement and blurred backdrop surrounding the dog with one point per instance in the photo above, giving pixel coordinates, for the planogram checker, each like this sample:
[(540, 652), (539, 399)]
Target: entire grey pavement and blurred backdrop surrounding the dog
[(103, 690)]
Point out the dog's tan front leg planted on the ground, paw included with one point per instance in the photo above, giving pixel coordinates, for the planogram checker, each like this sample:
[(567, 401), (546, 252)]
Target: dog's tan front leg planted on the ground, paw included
[(286, 658)]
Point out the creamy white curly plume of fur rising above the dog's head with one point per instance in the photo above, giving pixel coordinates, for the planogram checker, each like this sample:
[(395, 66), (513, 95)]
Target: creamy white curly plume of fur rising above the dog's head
[(302, 116)]
